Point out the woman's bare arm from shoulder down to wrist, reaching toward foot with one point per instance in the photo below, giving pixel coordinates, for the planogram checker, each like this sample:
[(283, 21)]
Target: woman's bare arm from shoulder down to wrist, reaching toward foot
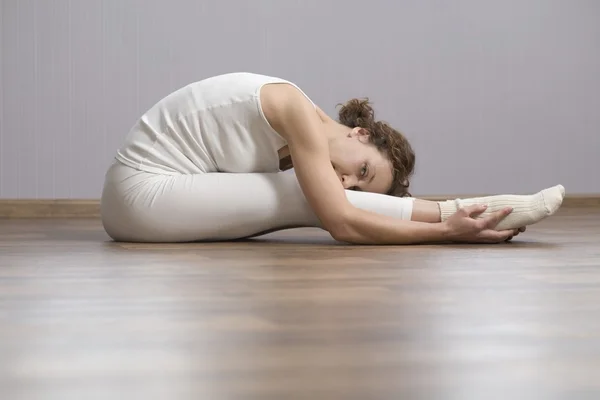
[(294, 117)]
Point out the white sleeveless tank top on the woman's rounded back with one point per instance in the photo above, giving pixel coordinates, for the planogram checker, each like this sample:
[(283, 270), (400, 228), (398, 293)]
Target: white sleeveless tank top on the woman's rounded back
[(214, 125)]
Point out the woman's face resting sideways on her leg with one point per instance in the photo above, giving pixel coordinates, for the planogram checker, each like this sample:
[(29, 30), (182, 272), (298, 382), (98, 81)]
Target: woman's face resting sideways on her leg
[(358, 163)]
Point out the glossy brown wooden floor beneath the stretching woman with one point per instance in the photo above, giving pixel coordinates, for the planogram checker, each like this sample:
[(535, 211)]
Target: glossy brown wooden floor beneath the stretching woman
[(295, 315)]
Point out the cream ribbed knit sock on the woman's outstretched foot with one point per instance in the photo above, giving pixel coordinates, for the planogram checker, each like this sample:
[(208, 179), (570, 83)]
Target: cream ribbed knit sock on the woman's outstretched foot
[(527, 209)]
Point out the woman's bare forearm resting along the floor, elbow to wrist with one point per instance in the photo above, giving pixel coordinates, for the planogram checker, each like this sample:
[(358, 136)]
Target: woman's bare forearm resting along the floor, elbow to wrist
[(364, 227)]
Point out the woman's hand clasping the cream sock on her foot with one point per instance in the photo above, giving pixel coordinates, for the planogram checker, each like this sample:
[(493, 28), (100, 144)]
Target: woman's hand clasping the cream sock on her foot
[(464, 226)]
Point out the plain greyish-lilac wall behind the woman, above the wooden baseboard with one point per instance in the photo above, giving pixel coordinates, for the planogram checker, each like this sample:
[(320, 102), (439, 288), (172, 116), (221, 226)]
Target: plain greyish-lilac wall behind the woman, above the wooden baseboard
[(497, 96)]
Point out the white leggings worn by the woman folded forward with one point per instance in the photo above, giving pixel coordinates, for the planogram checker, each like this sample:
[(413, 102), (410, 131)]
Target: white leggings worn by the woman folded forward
[(138, 206)]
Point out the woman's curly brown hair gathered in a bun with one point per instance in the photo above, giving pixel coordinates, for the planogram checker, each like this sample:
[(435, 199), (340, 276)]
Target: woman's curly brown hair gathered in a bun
[(393, 144)]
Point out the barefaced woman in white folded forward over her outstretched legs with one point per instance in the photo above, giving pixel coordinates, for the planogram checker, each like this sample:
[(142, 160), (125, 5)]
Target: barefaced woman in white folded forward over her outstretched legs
[(206, 163)]
